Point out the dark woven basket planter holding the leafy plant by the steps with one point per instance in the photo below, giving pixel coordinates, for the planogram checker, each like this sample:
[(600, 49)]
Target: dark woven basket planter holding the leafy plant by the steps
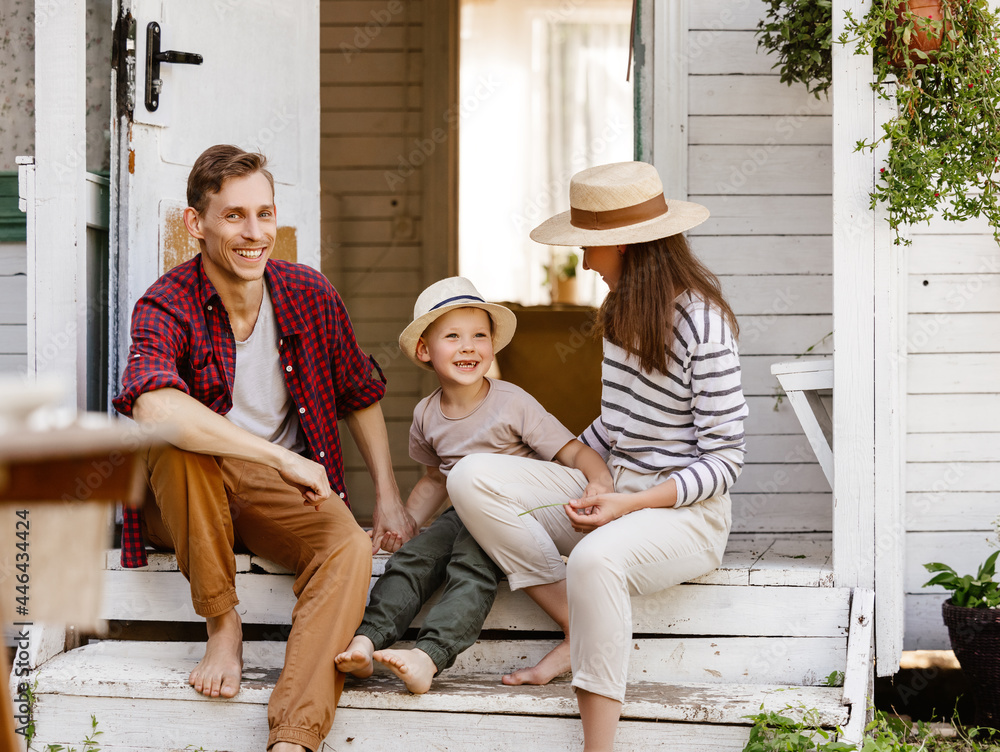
[(975, 638)]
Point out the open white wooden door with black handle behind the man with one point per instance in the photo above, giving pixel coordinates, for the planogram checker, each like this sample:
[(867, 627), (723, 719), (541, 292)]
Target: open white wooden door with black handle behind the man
[(257, 87)]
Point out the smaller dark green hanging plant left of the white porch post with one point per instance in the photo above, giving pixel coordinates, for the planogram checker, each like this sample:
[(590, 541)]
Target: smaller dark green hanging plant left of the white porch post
[(799, 32)]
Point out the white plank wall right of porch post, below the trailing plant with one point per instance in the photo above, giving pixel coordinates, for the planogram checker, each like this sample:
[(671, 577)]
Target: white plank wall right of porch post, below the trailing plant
[(953, 441)]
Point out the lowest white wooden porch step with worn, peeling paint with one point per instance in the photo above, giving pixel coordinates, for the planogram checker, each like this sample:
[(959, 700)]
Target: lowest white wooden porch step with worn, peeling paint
[(121, 682)]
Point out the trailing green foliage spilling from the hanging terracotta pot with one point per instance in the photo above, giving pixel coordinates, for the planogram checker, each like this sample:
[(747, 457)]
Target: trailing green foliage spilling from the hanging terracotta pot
[(945, 137)]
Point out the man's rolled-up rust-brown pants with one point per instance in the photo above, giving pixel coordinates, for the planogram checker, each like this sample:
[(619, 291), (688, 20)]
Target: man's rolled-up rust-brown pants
[(205, 506)]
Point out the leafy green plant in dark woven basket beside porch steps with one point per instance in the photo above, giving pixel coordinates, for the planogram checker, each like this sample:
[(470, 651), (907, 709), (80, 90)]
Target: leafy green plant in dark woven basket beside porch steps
[(972, 615)]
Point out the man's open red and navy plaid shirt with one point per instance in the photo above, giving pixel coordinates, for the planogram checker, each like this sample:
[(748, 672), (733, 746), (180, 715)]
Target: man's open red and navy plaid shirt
[(181, 338)]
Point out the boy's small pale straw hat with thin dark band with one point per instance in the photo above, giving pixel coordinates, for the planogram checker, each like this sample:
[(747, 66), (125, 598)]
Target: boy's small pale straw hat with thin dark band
[(447, 295)]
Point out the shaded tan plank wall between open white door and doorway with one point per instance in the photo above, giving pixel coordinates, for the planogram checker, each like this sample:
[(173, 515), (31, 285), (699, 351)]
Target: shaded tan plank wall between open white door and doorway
[(371, 95)]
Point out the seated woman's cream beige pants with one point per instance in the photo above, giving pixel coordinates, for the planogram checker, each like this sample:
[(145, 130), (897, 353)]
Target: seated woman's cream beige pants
[(640, 553)]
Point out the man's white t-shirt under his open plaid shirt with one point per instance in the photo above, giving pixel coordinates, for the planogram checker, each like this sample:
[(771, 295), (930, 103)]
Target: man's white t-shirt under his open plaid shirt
[(262, 404)]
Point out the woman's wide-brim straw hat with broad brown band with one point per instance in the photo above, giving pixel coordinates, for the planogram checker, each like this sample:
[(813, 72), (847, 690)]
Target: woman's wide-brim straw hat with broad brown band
[(618, 203)]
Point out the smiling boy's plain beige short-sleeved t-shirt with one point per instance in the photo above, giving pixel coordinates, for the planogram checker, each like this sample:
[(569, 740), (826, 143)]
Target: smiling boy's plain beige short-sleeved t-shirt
[(507, 421)]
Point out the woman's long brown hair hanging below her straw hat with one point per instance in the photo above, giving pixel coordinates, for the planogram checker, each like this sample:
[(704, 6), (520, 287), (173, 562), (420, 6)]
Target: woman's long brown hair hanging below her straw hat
[(639, 315)]
